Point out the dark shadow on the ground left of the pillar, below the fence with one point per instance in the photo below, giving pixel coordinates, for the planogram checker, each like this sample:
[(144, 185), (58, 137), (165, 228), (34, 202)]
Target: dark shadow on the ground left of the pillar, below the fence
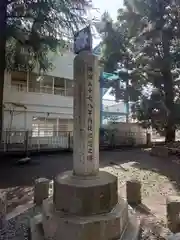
[(16, 175)]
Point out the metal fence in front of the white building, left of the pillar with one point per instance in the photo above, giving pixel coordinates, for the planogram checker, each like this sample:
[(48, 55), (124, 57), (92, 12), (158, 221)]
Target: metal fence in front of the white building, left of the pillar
[(13, 141)]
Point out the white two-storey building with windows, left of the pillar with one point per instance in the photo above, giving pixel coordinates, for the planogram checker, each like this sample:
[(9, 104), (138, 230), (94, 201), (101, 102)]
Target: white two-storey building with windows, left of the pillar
[(41, 104)]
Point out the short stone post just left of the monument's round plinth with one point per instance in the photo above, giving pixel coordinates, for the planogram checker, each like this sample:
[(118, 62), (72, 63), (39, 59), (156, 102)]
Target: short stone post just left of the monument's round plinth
[(41, 190)]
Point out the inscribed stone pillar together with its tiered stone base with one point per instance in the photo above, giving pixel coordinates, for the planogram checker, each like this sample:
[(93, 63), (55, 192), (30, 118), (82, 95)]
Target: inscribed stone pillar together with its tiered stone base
[(85, 203)]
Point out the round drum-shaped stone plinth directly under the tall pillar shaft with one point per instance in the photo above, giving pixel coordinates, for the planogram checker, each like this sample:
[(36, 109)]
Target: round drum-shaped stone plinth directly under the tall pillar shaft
[(84, 196)]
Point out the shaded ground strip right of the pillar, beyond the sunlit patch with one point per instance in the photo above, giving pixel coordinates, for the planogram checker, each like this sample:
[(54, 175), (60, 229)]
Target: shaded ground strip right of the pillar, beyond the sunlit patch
[(141, 159)]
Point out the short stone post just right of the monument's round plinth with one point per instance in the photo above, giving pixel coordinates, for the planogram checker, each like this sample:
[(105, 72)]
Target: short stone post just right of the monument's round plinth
[(133, 192)]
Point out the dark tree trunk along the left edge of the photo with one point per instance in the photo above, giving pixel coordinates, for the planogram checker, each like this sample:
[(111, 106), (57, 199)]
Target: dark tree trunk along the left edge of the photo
[(3, 15)]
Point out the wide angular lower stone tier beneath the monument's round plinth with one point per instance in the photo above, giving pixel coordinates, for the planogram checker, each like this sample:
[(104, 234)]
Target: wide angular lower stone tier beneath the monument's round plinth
[(109, 226)]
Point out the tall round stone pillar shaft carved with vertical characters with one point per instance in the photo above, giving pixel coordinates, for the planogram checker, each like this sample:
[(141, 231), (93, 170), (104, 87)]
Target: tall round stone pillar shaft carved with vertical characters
[(86, 115)]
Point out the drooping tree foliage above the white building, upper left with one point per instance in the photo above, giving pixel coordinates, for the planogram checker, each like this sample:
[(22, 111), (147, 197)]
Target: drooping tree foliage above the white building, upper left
[(35, 28)]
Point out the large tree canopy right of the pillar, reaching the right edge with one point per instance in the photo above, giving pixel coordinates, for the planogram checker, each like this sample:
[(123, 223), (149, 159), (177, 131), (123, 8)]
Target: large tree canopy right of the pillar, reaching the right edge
[(144, 43)]
